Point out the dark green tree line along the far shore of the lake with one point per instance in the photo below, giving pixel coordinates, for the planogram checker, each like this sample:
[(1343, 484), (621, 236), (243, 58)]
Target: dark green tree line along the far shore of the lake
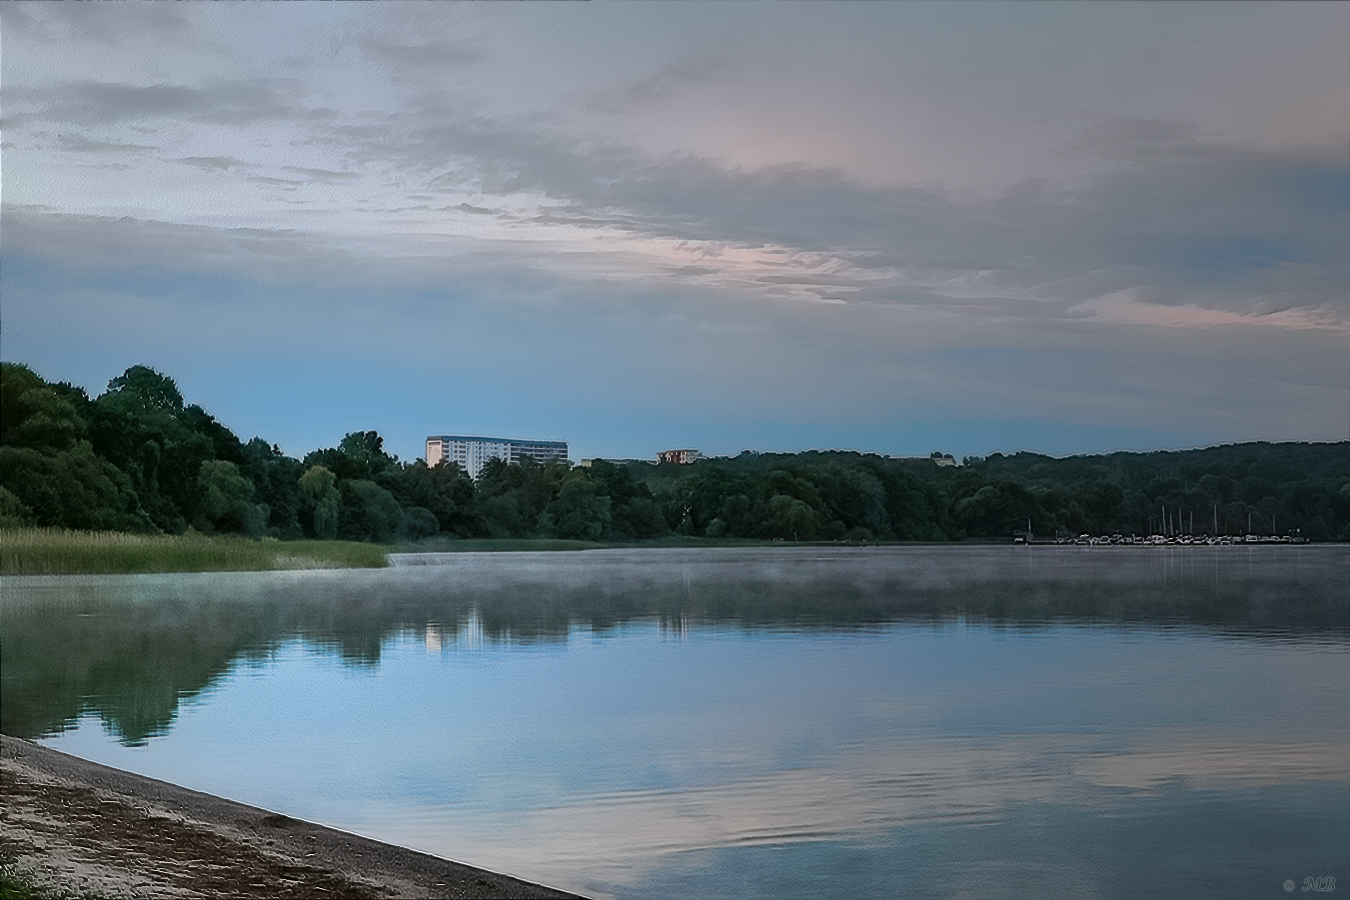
[(138, 458)]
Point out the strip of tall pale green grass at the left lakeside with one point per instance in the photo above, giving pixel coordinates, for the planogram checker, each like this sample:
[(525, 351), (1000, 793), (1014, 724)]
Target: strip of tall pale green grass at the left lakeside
[(48, 551)]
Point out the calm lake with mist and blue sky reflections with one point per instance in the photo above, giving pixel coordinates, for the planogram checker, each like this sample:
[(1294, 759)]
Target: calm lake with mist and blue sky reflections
[(772, 723)]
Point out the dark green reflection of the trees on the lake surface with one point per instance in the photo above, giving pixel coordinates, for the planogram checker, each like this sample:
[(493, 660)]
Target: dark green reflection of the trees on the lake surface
[(133, 659)]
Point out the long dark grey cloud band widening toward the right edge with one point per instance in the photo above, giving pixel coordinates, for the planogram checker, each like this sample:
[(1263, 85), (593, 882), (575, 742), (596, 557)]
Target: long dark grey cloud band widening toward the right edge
[(1183, 222)]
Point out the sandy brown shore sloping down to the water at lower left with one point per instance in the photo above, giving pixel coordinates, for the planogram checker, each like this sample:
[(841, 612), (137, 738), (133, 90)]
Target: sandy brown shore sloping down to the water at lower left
[(80, 829)]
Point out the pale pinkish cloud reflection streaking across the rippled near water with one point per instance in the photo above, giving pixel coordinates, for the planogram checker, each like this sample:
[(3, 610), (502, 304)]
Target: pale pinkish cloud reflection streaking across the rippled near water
[(863, 794)]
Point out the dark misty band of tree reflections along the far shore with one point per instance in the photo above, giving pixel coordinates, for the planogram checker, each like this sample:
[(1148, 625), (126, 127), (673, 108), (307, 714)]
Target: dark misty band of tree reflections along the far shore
[(133, 648)]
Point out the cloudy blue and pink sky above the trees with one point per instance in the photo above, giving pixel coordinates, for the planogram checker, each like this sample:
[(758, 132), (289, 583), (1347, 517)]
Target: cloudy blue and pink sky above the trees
[(888, 227)]
